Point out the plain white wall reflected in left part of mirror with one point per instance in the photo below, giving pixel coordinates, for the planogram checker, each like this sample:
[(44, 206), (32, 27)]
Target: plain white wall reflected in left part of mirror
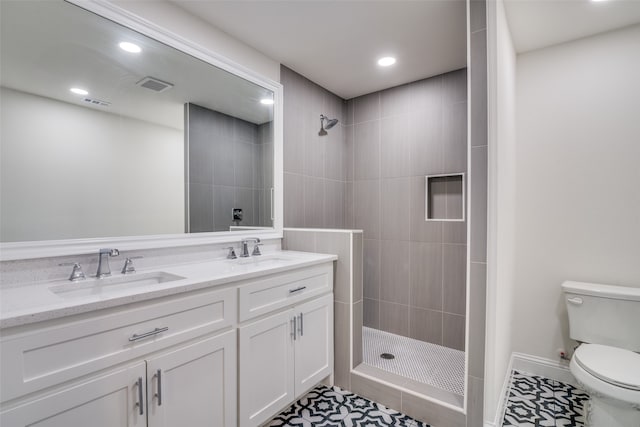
[(69, 171)]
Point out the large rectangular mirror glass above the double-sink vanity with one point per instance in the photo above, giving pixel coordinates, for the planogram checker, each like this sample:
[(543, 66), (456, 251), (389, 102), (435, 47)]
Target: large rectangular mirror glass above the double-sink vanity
[(109, 133)]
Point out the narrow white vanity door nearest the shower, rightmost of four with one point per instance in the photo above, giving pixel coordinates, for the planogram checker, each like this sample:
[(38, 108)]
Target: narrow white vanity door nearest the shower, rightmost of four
[(314, 345)]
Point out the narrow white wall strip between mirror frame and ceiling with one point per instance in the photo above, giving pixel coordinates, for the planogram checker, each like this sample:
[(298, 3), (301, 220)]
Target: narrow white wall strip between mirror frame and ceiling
[(180, 22)]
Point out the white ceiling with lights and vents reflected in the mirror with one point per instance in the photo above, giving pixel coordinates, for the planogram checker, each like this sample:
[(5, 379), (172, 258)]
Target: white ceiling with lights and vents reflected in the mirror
[(51, 46)]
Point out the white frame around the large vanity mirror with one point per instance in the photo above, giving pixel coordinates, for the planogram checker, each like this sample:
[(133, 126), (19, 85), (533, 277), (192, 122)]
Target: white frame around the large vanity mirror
[(51, 248)]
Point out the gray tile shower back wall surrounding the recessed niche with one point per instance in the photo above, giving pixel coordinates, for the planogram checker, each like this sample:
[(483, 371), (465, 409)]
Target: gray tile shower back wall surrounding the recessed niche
[(414, 270)]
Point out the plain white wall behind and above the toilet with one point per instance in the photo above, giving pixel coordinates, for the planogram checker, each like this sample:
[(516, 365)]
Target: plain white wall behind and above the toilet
[(578, 179)]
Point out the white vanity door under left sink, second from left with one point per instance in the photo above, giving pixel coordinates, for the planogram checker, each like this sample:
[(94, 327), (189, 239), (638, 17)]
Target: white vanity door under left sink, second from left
[(194, 385)]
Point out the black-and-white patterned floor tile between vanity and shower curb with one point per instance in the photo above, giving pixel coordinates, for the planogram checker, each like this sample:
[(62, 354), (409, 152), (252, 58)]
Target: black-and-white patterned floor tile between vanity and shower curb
[(332, 407)]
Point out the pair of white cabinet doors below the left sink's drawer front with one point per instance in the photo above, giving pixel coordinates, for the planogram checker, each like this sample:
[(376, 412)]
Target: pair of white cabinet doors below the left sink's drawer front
[(192, 385)]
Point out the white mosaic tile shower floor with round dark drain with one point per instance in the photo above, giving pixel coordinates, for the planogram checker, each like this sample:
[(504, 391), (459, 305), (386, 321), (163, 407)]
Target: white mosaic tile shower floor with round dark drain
[(420, 361)]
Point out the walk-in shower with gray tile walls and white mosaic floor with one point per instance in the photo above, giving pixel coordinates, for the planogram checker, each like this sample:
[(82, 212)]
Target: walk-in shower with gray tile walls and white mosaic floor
[(370, 171)]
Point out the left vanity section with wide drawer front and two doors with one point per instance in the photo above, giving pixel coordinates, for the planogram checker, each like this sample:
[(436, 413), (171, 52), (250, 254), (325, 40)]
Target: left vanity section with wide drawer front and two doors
[(154, 364)]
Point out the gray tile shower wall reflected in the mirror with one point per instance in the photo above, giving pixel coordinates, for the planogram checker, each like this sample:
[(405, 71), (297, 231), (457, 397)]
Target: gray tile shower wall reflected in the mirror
[(230, 166)]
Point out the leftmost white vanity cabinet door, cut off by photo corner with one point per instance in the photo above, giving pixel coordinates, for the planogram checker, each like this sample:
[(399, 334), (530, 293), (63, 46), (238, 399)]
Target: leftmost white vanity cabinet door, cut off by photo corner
[(111, 400)]
